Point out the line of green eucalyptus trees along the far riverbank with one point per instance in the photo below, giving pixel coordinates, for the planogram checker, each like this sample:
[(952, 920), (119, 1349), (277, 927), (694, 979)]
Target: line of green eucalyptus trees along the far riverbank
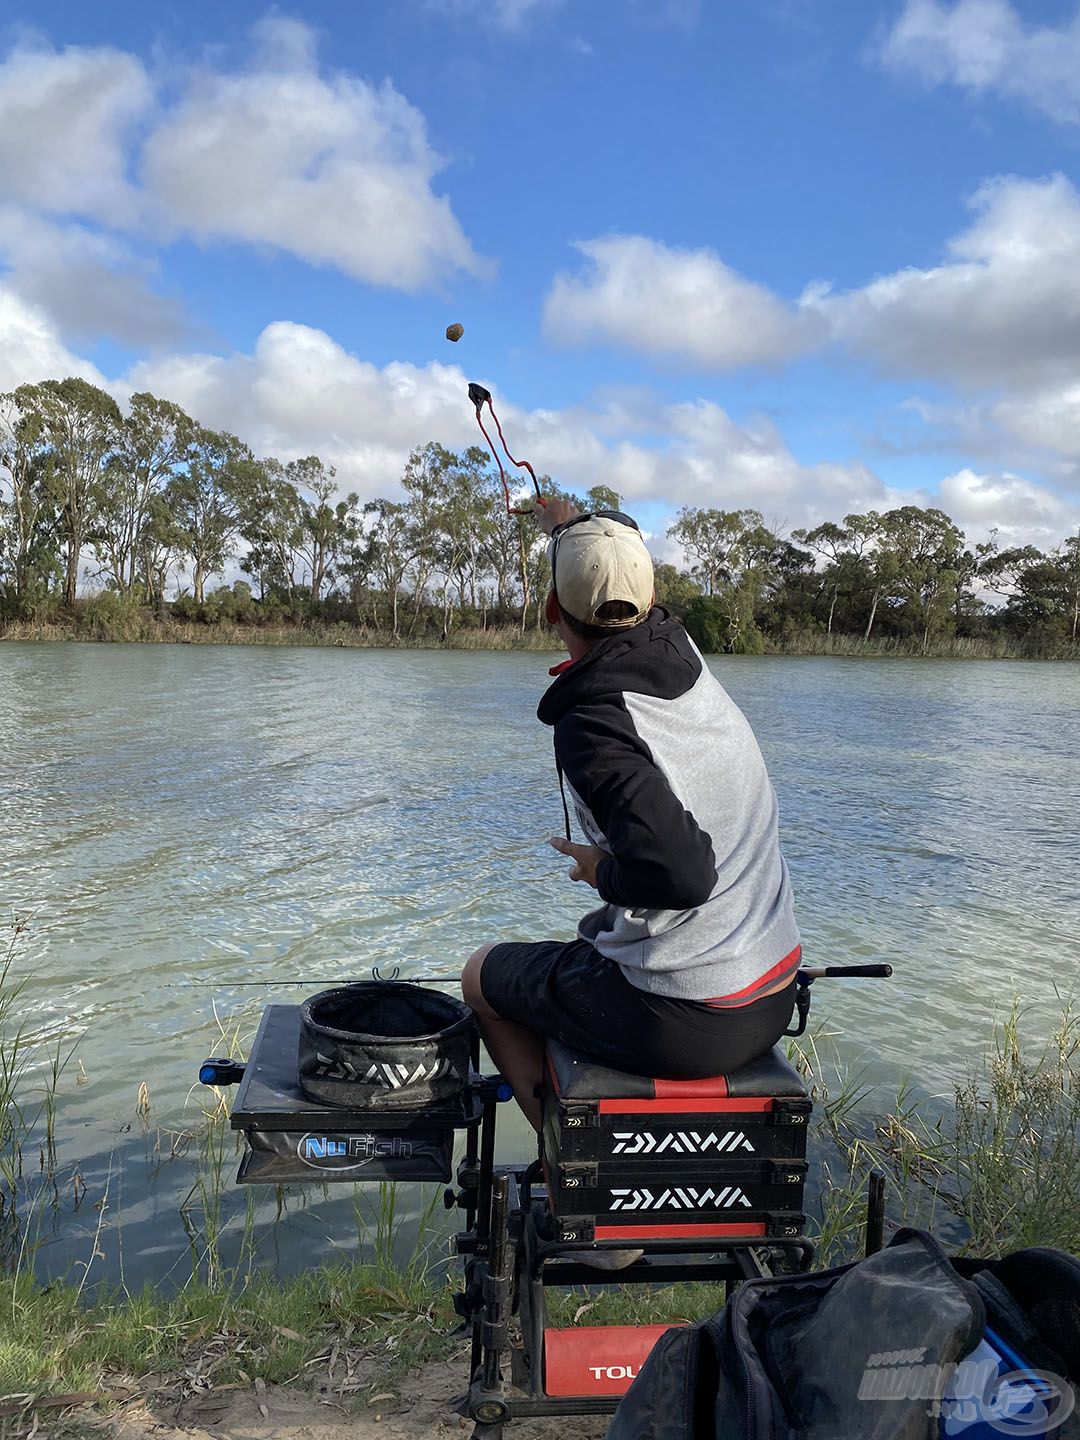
[(155, 508)]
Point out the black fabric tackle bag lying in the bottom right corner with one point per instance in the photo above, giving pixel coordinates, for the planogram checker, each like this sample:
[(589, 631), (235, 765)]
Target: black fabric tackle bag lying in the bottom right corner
[(863, 1351)]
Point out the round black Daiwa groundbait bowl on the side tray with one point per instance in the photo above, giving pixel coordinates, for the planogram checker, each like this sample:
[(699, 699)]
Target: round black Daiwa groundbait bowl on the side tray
[(385, 1046)]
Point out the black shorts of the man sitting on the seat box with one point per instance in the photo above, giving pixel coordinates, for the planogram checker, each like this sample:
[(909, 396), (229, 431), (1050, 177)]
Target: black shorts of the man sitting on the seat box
[(571, 993)]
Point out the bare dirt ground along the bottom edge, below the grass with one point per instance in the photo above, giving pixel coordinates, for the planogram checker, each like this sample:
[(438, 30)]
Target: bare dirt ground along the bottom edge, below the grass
[(421, 1409)]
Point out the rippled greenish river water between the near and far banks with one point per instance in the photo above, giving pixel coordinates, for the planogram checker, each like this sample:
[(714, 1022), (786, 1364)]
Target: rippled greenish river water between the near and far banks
[(195, 832)]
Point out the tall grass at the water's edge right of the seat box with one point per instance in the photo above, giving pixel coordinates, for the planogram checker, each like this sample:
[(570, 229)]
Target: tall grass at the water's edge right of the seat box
[(996, 1171)]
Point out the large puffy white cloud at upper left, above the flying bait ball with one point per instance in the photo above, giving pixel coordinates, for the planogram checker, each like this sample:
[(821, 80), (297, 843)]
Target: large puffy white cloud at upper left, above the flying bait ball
[(322, 166)]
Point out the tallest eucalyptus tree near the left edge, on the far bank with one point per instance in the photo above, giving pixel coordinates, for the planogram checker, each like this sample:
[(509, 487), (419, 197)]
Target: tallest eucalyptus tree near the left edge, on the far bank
[(83, 427)]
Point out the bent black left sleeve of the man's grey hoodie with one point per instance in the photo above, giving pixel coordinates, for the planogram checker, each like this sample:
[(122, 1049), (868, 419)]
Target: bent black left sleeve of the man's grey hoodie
[(660, 858)]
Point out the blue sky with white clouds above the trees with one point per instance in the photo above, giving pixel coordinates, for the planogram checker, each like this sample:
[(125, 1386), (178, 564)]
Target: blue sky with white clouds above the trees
[(801, 256)]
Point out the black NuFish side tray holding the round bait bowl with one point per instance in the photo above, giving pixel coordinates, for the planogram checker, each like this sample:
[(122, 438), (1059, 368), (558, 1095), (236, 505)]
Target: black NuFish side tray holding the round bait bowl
[(294, 1140)]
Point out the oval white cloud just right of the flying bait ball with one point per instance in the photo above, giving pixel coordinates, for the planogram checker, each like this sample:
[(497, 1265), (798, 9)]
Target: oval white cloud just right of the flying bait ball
[(650, 297)]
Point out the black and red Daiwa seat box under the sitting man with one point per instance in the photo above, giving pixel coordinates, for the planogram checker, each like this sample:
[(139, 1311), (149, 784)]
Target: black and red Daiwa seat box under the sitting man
[(634, 1158)]
